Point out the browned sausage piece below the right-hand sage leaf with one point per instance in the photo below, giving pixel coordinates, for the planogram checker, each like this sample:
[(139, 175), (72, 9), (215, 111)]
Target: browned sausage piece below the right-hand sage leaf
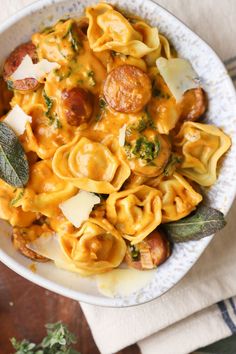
[(148, 254)]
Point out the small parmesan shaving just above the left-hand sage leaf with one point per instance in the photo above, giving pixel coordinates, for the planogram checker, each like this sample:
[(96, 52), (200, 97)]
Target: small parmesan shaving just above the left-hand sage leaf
[(17, 119)]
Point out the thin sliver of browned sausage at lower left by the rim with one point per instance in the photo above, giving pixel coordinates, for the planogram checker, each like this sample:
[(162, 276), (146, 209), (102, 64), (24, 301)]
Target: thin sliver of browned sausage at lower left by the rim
[(20, 244)]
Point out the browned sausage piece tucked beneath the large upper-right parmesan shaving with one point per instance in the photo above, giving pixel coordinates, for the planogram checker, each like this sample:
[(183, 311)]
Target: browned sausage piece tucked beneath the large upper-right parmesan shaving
[(193, 104)]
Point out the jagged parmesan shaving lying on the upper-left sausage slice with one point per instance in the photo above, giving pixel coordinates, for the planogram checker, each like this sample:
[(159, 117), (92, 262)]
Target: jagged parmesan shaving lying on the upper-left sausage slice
[(27, 69)]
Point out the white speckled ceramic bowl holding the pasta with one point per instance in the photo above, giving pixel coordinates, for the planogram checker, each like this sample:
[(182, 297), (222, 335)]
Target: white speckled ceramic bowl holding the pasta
[(222, 112)]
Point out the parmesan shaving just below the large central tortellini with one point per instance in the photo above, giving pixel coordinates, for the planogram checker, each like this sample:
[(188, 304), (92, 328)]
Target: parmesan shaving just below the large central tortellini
[(78, 208)]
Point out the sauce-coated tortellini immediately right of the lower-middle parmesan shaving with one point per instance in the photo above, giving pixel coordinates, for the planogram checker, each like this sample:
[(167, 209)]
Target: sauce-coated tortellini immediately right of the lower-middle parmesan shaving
[(135, 212)]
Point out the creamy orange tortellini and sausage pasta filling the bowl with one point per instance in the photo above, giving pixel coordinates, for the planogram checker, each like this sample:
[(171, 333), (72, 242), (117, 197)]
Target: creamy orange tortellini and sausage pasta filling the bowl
[(105, 120)]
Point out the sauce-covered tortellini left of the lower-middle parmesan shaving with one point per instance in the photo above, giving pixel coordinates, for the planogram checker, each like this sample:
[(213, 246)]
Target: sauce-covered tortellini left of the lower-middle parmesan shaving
[(45, 191)]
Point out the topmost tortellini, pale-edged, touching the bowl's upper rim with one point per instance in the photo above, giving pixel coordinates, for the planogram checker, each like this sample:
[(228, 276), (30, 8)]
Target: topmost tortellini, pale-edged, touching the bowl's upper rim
[(109, 29)]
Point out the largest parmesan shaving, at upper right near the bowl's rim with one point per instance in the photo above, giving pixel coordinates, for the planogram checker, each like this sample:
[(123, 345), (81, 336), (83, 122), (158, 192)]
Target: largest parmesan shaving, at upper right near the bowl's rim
[(178, 74)]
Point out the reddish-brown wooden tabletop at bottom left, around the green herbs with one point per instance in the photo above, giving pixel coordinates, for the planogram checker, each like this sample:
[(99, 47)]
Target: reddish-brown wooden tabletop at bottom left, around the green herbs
[(25, 308)]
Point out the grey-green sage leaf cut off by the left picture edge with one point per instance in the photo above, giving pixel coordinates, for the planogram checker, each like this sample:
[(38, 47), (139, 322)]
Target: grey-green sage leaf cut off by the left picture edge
[(14, 167)]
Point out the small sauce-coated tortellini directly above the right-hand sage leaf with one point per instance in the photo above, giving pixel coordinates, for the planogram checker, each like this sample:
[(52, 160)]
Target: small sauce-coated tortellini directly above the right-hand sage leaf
[(178, 198)]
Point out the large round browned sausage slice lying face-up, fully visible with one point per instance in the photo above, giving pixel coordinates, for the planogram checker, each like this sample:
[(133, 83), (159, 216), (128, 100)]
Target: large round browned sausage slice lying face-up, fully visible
[(127, 89)]
